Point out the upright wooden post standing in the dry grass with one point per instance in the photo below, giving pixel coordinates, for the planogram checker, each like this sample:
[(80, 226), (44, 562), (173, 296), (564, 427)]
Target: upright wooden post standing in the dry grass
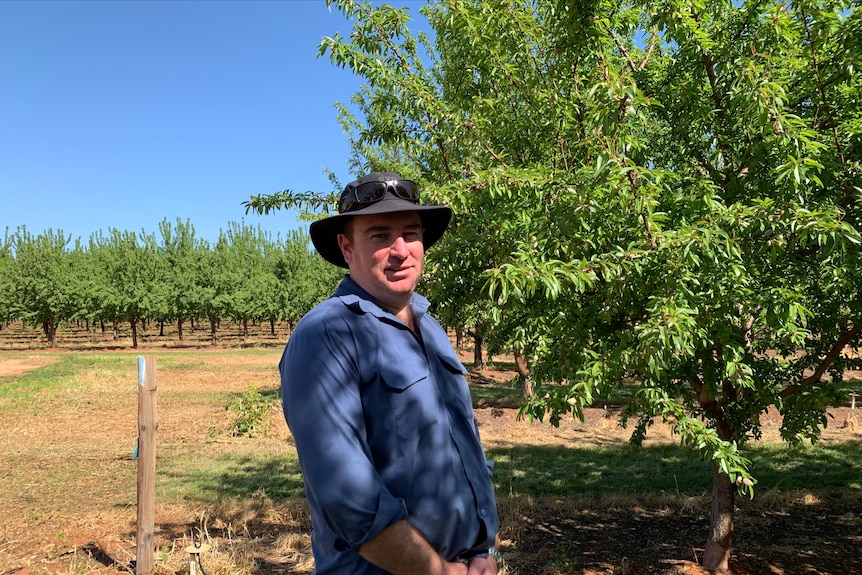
[(147, 426)]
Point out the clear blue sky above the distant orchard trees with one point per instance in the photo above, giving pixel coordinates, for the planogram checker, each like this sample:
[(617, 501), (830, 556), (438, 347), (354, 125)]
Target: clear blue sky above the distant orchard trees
[(119, 114)]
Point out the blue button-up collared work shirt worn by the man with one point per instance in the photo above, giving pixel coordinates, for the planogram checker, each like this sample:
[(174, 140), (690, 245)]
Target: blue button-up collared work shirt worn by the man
[(384, 430)]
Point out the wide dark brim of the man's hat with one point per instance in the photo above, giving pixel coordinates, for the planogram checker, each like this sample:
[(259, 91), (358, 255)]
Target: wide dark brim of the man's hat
[(324, 233)]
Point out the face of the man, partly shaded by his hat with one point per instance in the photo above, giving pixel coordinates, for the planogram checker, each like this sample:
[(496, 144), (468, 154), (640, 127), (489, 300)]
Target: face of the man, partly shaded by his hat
[(385, 255)]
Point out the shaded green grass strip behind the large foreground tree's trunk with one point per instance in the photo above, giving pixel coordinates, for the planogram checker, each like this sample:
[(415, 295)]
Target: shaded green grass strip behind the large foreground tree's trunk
[(667, 469)]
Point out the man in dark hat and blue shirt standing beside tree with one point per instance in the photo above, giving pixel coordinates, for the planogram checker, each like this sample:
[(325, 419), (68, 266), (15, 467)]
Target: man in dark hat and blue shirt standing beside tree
[(376, 399)]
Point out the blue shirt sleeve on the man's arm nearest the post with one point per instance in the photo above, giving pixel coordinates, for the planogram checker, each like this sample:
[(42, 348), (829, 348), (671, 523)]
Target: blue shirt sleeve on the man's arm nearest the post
[(320, 378)]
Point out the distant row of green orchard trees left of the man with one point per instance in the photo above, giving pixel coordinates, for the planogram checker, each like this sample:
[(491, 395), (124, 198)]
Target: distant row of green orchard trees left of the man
[(175, 278)]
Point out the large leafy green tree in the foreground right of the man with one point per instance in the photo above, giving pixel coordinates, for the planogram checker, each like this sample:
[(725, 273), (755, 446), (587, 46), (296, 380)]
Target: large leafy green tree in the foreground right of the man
[(674, 190)]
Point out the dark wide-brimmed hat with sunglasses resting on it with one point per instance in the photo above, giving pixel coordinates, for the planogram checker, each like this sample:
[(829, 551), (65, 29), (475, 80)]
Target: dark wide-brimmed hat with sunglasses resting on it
[(376, 193)]
